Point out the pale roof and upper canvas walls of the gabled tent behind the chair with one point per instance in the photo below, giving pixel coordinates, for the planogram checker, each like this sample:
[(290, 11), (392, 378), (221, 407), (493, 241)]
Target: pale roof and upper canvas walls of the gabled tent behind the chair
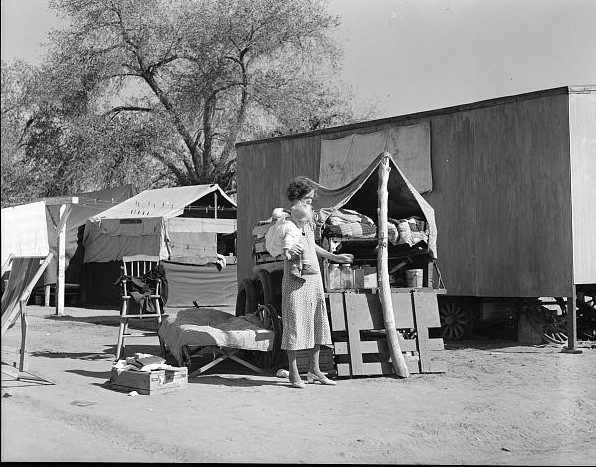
[(178, 224)]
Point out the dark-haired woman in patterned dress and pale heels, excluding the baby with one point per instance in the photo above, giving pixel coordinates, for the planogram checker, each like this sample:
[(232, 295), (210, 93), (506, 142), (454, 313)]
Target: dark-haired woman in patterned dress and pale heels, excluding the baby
[(303, 310)]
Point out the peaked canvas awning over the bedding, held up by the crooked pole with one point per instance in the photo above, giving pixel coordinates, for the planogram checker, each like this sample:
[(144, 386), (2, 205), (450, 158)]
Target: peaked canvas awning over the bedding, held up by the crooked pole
[(361, 196)]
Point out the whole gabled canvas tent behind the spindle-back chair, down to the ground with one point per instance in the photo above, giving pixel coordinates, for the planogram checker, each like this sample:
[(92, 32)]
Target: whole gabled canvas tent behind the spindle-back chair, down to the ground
[(181, 226)]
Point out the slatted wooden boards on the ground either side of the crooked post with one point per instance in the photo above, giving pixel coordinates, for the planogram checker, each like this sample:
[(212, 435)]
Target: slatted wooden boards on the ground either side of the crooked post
[(359, 338)]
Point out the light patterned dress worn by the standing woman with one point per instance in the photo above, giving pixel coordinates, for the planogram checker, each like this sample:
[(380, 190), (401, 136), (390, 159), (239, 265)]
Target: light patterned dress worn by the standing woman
[(303, 310)]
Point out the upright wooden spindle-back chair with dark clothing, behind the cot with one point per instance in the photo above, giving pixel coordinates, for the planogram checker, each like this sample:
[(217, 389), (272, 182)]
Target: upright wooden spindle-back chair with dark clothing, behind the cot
[(133, 270)]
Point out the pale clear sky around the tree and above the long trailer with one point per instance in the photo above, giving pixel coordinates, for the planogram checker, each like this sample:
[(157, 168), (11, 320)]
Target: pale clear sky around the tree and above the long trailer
[(407, 56)]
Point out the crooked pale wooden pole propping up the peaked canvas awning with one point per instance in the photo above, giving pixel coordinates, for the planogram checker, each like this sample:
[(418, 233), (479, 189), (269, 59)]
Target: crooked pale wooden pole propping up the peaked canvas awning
[(397, 357)]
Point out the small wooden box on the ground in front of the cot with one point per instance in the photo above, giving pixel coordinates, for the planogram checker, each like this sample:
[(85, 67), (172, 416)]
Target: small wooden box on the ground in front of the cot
[(150, 382)]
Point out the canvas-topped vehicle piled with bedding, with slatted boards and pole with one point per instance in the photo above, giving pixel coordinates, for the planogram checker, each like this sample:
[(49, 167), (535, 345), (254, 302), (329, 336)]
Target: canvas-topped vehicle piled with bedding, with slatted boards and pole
[(374, 310)]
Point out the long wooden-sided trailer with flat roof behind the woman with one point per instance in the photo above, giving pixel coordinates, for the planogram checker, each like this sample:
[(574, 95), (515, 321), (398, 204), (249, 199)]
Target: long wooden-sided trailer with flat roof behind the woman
[(512, 182)]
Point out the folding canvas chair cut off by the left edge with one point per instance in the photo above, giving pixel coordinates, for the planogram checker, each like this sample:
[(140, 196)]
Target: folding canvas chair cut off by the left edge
[(24, 273)]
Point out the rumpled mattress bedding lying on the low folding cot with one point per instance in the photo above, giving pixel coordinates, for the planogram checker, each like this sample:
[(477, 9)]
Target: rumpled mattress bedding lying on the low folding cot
[(210, 326)]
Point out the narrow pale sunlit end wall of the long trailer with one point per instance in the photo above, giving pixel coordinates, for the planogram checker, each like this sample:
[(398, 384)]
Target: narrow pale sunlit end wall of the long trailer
[(582, 122)]
